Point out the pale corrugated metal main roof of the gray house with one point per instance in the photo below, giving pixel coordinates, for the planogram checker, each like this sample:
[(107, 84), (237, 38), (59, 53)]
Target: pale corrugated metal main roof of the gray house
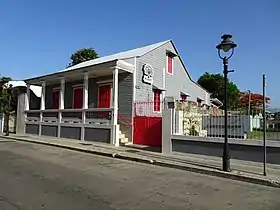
[(118, 56)]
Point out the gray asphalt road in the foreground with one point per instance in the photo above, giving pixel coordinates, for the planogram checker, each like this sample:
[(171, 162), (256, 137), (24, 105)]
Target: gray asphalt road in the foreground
[(35, 177)]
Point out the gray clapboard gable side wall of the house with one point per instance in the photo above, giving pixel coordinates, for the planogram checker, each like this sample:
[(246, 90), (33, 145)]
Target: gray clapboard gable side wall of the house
[(173, 84)]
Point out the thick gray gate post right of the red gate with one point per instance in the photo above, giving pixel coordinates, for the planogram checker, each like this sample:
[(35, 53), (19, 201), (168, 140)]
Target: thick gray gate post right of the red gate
[(167, 122)]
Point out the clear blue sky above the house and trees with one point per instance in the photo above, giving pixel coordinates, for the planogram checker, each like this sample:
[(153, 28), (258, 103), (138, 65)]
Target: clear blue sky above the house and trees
[(38, 37)]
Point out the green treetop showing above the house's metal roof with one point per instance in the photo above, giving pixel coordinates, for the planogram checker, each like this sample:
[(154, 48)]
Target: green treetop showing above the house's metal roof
[(82, 55)]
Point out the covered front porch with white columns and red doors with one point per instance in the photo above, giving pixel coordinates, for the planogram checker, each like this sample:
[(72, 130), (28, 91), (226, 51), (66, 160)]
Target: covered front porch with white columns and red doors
[(78, 103)]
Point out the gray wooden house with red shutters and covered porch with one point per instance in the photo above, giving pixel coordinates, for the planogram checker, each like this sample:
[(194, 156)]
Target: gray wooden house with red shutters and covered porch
[(113, 99)]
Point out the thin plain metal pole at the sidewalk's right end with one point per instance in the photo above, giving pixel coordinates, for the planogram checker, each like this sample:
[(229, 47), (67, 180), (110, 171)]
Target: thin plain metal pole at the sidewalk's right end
[(264, 125)]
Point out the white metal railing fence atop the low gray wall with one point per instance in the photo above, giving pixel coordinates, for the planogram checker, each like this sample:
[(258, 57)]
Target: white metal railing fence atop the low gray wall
[(209, 122)]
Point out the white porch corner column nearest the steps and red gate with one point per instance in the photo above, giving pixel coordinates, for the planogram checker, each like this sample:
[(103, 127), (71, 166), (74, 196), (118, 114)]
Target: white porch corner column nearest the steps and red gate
[(115, 113)]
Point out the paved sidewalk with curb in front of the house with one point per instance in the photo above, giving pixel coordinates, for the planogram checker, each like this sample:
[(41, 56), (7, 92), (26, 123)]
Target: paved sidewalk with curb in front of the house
[(241, 170)]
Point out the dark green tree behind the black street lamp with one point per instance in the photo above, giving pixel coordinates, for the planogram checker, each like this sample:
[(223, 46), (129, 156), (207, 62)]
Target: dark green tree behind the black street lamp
[(214, 83)]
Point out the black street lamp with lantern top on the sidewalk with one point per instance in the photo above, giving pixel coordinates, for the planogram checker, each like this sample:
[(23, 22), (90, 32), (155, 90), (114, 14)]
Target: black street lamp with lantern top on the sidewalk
[(226, 45)]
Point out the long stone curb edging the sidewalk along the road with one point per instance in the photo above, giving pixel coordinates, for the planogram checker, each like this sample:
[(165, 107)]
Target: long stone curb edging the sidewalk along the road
[(195, 169)]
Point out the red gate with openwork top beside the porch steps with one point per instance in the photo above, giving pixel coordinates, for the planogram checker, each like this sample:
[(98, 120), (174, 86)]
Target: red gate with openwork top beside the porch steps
[(147, 125)]
